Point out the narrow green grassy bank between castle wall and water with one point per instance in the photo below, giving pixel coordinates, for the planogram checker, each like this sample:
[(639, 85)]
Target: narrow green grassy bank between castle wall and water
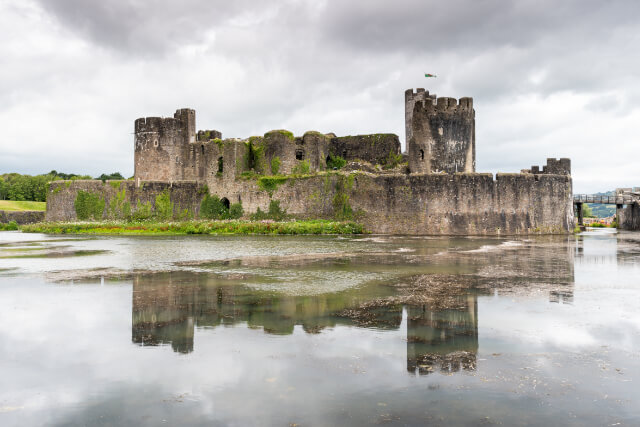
[(197, 227)]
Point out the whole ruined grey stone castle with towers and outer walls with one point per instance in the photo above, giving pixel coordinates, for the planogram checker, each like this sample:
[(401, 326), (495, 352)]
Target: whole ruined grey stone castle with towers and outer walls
[(433, 188)]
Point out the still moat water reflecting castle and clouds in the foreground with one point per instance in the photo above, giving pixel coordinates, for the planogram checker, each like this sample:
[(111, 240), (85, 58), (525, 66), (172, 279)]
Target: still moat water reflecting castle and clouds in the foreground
[(319, 331)]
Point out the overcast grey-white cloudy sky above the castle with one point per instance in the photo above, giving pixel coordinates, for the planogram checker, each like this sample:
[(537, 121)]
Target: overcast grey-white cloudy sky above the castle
[(549, 78)]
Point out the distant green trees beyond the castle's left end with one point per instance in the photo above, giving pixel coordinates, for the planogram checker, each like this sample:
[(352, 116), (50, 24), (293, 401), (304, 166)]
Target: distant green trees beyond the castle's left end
[(15, 186)]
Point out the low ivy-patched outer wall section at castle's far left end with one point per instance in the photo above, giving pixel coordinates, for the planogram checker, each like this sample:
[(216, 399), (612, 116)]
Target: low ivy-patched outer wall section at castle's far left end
[(62, 195)]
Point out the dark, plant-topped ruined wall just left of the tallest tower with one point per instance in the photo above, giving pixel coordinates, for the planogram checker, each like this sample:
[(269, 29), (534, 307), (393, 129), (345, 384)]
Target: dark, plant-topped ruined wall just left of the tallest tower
[(371, 148)]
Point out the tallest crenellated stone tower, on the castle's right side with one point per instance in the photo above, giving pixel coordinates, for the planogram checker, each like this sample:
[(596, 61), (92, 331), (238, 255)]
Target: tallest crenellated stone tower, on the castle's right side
[(442, 135)]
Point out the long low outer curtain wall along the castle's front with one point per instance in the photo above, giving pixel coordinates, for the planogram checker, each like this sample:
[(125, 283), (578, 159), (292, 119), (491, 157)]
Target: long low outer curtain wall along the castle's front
[(430, 204)]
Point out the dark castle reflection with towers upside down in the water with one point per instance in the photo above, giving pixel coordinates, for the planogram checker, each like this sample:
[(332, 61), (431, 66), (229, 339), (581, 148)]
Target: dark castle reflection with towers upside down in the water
[(167, 307)]
